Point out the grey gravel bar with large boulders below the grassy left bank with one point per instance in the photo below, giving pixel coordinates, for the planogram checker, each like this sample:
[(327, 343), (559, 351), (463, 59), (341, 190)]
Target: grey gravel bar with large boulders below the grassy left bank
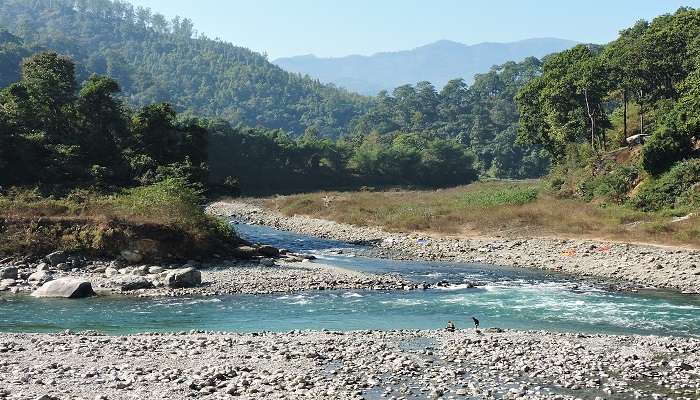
[(287, 273)]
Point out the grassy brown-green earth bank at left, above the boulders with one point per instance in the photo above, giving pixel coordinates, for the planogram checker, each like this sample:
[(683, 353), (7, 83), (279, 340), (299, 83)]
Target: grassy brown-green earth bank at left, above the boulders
[(160, 221)]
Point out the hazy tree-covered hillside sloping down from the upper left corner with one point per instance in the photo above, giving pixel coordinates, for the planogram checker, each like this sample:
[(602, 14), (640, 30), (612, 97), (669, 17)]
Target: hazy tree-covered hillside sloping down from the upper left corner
[(157, 60)]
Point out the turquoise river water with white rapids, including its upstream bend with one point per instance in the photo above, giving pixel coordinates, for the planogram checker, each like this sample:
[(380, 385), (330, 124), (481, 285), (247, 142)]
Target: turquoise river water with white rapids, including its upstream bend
[(506, 298)]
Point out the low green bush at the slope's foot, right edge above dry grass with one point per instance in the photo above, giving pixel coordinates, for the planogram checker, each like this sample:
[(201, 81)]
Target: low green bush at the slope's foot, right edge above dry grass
[(666, 190)]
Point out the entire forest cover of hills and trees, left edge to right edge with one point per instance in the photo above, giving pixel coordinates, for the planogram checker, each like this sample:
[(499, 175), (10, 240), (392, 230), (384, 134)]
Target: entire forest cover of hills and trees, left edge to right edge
[(137, 98)]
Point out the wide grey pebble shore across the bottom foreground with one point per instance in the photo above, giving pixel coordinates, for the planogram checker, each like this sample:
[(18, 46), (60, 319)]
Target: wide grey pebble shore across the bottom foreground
[(351, 365)]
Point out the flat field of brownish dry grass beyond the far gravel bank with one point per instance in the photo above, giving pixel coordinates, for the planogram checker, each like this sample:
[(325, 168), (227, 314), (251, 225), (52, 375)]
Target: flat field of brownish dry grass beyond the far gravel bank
[(493, 209)]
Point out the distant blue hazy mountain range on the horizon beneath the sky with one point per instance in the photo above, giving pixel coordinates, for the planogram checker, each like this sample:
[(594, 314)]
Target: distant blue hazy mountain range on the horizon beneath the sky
[(436, 62)]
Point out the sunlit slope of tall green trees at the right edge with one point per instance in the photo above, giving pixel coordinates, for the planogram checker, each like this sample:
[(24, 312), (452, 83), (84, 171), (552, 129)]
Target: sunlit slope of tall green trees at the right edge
[(644, 86)]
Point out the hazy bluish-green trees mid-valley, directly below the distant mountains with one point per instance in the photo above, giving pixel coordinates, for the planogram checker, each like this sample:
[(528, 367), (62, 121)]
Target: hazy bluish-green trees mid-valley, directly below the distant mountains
[(482, 117)]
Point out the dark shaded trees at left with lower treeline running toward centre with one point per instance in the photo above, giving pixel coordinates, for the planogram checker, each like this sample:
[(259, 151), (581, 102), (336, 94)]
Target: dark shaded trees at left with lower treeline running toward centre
[(57, 134)]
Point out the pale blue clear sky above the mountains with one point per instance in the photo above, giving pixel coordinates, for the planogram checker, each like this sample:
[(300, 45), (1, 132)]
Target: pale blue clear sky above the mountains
[(341, 27)]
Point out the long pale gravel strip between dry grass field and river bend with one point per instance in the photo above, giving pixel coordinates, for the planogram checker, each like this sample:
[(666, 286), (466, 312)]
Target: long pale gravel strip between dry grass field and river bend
[(642, 266)]
